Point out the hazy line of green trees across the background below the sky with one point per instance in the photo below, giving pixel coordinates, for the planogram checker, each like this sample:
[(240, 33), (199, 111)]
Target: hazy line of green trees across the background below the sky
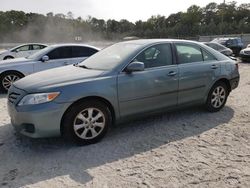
[(213, 19)]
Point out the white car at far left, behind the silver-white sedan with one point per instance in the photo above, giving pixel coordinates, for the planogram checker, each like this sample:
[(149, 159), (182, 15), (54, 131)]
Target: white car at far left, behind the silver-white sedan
[(23, 50)]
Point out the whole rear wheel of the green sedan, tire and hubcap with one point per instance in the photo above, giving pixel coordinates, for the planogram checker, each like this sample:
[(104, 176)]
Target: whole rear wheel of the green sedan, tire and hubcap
[(215, 103)]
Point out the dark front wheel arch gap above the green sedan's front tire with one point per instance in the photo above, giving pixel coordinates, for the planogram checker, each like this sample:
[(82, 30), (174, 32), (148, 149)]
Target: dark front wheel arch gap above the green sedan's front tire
[(96, 98)]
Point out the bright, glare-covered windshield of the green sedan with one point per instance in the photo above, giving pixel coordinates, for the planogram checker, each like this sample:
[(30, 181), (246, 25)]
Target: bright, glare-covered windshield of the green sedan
[(110, 57)]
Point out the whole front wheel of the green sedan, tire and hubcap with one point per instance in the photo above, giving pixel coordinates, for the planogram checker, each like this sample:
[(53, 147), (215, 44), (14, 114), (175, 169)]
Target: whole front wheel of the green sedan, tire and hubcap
[(86, 122)]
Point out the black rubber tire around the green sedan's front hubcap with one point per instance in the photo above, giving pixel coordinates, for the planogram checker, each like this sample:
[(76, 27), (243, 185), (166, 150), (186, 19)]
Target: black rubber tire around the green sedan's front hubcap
[(71, 117)]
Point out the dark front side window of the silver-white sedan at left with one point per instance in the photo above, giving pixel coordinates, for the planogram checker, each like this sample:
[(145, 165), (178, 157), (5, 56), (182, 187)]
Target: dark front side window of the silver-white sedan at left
[(60, 53)]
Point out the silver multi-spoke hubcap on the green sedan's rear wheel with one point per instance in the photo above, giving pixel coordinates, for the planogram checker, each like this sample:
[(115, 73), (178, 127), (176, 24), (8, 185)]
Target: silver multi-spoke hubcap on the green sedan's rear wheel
[(218, 97)]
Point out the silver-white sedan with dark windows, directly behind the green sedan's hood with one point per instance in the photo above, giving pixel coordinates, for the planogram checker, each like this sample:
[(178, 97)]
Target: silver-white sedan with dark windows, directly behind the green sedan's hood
[(47, 58)]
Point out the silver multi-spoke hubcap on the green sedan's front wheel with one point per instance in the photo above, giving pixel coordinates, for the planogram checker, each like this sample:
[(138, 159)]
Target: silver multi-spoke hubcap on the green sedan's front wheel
[(89, 123)]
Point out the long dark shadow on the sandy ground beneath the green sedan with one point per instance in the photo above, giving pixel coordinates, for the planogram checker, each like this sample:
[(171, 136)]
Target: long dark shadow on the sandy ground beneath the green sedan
[(26, 161)]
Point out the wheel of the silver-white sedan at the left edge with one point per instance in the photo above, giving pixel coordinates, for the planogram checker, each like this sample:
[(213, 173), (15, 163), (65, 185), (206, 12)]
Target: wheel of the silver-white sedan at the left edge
[(6, 80)]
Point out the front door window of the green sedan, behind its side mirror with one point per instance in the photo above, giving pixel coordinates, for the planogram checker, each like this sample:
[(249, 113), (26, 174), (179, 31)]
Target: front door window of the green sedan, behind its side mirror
[(156, 56)]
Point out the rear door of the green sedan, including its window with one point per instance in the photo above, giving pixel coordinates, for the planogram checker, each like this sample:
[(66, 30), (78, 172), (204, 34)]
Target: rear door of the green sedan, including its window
[(197, 71)]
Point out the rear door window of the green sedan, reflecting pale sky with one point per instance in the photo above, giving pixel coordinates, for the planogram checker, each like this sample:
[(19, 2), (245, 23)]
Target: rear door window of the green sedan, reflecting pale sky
[(188, 53)]
